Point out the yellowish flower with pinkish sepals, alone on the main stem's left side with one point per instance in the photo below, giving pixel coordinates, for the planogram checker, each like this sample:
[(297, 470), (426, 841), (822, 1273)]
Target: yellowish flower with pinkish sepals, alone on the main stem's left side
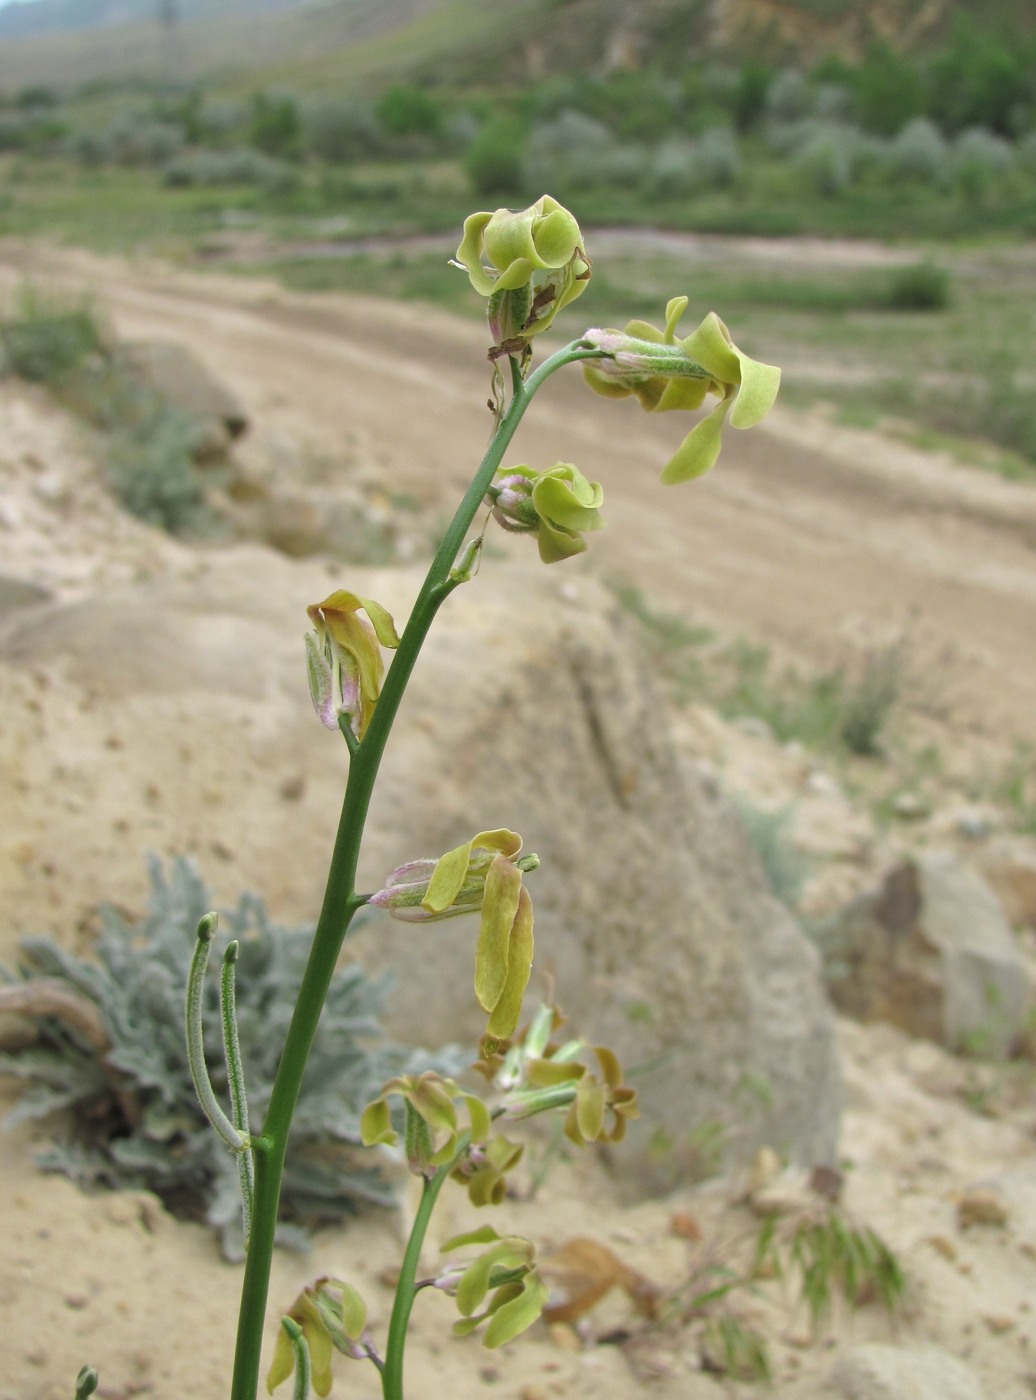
[(345, 661)]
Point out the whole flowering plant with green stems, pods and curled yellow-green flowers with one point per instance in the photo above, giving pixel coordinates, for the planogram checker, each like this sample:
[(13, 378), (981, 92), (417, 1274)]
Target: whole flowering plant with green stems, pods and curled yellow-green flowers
[(528, 265)]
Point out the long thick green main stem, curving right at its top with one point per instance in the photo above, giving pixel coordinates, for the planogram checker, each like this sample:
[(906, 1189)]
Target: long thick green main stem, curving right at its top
[(341, 899)]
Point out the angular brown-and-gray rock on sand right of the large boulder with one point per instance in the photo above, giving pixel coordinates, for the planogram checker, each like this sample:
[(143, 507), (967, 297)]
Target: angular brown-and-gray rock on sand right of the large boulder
[(930, 953)]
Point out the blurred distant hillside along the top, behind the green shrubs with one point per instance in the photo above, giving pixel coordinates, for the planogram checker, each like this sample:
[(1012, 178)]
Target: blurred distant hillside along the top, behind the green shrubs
[(349, 45)]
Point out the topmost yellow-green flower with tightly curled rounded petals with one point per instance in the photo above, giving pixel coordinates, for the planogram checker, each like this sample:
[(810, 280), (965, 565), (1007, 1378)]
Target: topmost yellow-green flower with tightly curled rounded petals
[(528, 262)]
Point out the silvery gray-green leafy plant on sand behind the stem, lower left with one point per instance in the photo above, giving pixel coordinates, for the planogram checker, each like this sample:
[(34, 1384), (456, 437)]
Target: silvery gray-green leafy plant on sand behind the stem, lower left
[(132, 1118)]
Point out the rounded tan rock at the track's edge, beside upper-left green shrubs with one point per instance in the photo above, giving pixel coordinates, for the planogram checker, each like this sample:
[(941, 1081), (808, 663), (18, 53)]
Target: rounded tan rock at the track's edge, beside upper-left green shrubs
[(180, 379)]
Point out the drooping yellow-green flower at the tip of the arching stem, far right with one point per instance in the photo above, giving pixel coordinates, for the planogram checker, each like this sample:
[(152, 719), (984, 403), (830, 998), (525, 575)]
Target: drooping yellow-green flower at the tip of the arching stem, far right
[(664, 372)]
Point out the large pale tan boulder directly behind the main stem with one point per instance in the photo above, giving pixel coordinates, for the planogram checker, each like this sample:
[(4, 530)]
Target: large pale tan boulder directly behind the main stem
[(184, 726)]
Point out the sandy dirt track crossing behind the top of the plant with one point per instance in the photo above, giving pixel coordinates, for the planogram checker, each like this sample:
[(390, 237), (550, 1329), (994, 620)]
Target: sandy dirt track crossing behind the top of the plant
[(814, 538)]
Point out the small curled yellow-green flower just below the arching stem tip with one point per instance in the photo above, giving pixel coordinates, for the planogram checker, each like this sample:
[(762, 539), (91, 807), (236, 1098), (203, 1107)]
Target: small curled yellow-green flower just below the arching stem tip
[(556, 505)]
